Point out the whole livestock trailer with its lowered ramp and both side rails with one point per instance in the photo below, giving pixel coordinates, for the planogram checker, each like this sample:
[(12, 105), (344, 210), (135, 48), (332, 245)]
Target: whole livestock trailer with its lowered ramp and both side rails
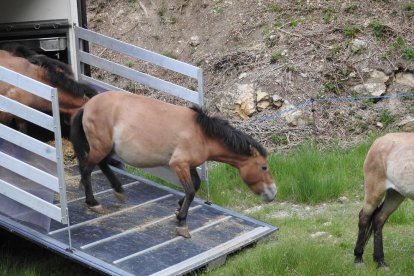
[(39, 196)]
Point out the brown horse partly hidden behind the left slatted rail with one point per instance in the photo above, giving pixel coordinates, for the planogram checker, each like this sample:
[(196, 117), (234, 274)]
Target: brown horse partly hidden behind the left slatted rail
[(72, 94)]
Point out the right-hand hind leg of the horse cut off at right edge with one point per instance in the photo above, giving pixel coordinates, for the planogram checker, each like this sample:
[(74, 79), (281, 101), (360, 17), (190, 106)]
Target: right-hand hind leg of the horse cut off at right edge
[(391, 202)]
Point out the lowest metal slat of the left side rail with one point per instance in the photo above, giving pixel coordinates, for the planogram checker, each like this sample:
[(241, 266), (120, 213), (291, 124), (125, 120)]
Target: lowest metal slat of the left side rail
[(30, 200)]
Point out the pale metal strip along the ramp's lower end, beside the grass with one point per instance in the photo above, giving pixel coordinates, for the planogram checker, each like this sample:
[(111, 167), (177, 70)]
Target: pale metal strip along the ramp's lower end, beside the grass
[(210, 255)]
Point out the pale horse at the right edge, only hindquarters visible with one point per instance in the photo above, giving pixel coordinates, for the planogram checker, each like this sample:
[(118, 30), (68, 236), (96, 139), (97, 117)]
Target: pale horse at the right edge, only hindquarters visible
[(389, 178)]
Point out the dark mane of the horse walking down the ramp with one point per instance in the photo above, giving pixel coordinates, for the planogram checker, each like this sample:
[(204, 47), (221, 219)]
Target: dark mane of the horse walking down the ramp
[(234, 139)]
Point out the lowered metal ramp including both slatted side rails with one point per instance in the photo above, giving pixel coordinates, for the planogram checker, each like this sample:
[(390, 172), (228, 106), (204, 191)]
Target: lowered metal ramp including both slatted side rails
[(133, 238)]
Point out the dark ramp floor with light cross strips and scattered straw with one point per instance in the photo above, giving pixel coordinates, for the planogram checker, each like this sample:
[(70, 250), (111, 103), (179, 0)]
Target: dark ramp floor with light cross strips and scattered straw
[(138, 237)]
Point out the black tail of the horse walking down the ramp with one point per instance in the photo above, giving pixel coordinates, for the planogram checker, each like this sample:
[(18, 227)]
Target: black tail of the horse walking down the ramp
[(78, 138)]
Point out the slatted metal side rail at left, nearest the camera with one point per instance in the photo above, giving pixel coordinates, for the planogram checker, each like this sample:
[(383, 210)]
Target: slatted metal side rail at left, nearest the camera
[(54, 154)]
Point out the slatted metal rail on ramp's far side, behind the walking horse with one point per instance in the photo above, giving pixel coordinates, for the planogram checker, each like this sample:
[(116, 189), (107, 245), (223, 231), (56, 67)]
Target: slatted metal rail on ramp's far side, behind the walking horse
[(195, 97)]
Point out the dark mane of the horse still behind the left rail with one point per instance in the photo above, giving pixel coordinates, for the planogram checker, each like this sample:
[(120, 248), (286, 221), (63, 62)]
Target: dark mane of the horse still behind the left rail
[(59, 74)]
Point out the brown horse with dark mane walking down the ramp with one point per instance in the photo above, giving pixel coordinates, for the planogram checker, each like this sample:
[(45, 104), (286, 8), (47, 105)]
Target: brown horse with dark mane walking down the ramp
[(145, 132)]
